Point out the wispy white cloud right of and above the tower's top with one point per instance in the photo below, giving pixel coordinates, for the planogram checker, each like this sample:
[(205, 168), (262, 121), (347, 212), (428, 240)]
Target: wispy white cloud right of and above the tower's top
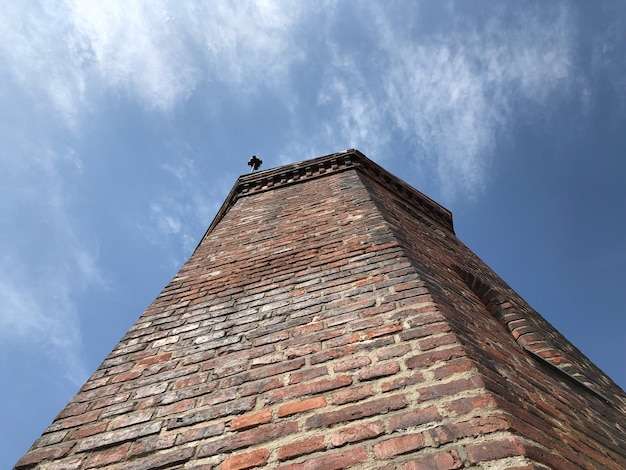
[(448, 95)]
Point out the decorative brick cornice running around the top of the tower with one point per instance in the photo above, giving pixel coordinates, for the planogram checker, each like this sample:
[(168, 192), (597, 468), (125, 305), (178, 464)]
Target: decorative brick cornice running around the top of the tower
[(320, 167)]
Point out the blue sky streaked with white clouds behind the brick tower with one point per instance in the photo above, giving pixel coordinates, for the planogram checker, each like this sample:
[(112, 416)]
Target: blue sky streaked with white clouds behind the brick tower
[(124, 125)]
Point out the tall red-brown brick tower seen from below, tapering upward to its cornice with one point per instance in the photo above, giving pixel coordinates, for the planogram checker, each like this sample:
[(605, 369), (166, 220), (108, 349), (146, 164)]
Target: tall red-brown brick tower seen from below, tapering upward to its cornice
[(328, 319)]
